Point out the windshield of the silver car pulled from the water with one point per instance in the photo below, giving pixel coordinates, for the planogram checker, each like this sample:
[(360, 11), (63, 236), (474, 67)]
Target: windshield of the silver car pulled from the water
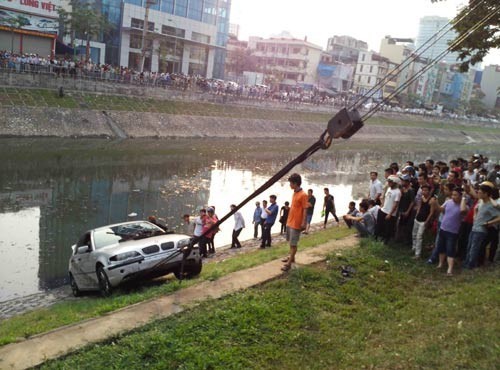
[(119, 233)]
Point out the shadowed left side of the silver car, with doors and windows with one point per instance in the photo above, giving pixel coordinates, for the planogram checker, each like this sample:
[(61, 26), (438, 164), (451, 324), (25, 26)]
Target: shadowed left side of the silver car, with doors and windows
[(83, 263)]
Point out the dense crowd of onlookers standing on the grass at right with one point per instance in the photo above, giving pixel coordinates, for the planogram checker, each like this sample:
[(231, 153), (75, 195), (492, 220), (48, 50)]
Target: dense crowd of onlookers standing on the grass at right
[(455, 205)]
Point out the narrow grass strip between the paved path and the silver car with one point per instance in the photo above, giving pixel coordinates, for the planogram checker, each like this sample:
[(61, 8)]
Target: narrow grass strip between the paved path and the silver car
[(72, 311)]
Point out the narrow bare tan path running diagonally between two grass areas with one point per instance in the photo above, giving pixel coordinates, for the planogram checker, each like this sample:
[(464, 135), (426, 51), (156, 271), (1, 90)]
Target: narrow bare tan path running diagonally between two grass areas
[(40, 348)]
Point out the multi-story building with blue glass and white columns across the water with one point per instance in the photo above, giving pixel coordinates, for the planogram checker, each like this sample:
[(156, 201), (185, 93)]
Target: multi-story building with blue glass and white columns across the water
[(187, 36)]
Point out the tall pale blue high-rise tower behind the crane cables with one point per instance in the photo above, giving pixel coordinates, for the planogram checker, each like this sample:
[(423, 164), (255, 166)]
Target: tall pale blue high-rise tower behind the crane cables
[(428, 28)]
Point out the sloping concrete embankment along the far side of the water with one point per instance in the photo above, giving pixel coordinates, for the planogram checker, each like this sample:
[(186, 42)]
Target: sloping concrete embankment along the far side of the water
[(60, 122)]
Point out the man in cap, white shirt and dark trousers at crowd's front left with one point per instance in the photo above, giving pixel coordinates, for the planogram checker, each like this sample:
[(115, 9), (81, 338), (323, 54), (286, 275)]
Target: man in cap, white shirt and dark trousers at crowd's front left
[(387, 215)]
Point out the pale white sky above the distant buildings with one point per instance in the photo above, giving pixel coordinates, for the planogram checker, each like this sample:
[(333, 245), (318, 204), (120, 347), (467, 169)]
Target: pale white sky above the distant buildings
[(367, 20)]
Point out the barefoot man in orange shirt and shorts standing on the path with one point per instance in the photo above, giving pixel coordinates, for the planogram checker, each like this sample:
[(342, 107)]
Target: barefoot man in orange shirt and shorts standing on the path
[(296, 221)]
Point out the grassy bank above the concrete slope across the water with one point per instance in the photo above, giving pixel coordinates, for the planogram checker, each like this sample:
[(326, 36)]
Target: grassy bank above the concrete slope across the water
[(19, 97)]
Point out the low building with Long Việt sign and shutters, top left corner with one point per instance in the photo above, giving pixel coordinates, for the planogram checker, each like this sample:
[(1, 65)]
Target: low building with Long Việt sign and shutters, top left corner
[(30, 26)]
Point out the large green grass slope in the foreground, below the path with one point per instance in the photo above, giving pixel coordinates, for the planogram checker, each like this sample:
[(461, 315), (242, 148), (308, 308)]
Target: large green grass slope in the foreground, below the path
[(392, 313)]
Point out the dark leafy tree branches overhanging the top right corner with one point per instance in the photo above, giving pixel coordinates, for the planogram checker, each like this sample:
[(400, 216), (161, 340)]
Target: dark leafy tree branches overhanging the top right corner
[(475, 47)]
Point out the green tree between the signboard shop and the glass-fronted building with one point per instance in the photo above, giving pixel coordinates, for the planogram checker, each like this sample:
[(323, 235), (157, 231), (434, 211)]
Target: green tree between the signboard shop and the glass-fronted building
[(84, 22)]
